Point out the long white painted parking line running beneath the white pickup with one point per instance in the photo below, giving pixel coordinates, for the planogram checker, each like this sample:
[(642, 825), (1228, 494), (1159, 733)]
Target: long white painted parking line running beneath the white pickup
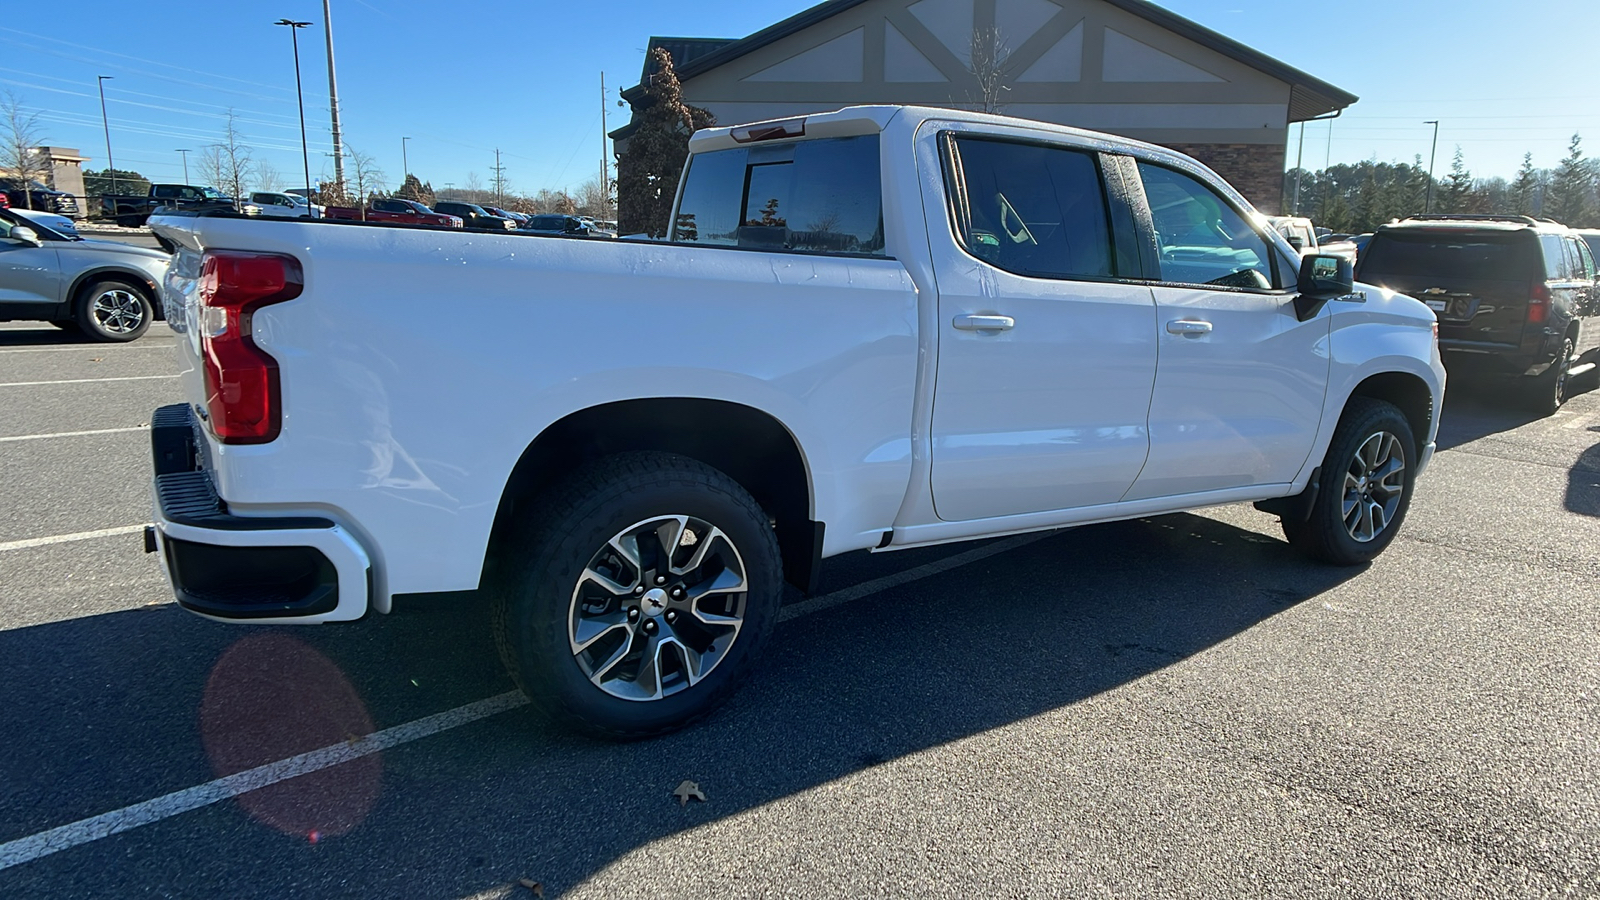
[(167, 806)]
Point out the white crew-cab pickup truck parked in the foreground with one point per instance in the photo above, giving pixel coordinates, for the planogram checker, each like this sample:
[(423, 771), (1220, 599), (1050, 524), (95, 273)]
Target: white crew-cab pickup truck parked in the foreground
[(873, 329)]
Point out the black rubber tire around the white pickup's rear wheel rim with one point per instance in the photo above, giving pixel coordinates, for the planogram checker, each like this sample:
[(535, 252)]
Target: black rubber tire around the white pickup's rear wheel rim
[(537, 593)]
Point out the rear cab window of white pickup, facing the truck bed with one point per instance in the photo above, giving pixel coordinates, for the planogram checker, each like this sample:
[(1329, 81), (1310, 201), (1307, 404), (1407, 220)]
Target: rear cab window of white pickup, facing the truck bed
[(812, 196)]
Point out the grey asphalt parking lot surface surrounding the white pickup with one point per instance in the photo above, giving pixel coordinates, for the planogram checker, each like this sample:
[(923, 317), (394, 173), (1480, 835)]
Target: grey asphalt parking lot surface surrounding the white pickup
[(1175, 707)]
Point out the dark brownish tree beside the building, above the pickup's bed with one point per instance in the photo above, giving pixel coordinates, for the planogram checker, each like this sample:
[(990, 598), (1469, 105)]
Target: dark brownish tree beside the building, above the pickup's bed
[(647, 172)]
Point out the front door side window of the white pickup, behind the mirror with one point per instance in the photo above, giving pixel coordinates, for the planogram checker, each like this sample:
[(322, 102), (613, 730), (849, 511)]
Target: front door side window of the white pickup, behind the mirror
[(1202, 239)]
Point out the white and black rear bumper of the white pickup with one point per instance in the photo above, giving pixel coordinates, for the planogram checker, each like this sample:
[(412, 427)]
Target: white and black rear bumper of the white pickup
[(226, 568)]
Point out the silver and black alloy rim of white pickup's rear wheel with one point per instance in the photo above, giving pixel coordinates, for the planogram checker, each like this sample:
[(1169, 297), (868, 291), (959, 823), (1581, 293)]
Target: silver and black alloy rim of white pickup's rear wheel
[(658, 608)]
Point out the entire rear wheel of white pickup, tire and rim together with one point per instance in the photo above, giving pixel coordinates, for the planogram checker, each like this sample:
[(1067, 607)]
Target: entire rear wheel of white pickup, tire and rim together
[(638, 598)]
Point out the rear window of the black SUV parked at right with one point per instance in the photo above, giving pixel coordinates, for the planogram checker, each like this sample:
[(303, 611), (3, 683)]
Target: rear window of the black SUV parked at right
[(1463, 255)]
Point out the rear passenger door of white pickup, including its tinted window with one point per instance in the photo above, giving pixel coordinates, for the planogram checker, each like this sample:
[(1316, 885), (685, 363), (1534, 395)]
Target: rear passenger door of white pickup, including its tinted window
[(1047, 339)]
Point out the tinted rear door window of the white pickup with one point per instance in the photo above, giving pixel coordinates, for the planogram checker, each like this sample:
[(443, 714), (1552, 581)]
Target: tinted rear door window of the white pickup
[(1034, 211)]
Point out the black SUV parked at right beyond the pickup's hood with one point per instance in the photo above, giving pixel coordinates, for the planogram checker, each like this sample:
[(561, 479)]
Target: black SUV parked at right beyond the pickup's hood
[(1516, 297)]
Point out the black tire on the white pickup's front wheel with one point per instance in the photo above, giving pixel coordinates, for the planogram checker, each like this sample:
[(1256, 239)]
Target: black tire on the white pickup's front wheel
[(1326, 534)]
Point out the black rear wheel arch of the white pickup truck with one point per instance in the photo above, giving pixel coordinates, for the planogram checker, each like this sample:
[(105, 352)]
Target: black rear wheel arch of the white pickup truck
[(748, 444)]
